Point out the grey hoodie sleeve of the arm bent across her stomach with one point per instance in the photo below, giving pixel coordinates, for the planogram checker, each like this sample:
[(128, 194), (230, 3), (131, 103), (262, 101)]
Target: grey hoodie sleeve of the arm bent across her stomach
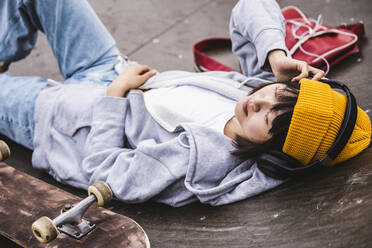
[(134, 175)]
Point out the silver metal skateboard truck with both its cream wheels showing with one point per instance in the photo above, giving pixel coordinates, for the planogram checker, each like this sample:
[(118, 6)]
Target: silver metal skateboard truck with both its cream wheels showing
[(70, 221)]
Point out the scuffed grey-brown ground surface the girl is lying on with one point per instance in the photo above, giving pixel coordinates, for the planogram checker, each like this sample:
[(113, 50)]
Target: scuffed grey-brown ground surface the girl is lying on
[(329, 210)]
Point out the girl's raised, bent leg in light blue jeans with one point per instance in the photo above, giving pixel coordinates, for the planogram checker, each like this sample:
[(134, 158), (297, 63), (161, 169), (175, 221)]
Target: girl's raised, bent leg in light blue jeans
[(77, 37)]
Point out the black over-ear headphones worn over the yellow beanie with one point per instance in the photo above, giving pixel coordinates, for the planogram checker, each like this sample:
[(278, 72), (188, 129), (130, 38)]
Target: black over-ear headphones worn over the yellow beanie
[(279, 165)]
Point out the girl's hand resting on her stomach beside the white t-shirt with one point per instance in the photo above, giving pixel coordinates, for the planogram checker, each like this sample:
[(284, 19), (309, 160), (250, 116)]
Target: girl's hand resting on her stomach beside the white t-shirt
[(131, 78)]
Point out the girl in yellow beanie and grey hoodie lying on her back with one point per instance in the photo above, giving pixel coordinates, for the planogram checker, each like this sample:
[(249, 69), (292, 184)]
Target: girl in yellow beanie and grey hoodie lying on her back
[(174, 137)]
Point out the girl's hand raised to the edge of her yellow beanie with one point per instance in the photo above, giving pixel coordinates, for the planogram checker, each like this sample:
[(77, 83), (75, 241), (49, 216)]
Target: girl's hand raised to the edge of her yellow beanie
[(285, 68)]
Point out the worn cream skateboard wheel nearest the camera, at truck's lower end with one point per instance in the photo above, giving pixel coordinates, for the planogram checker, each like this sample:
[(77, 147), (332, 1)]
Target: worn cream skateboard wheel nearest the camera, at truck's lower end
[(44, 230)]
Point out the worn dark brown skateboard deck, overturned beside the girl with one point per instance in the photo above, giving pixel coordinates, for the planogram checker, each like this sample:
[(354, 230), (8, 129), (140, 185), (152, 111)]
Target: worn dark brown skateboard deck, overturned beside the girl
[(24, 199)]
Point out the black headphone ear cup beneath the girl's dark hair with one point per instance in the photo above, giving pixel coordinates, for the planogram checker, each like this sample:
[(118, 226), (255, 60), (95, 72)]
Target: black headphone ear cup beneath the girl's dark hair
[(277, 164)]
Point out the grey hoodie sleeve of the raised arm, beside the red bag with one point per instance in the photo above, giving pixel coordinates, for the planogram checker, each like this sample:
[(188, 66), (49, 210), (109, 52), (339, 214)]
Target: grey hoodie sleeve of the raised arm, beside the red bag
[(256, 28)]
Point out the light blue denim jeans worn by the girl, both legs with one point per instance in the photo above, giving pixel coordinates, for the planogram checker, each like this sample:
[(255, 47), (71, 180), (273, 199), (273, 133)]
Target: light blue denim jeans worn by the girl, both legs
[(83, 47)]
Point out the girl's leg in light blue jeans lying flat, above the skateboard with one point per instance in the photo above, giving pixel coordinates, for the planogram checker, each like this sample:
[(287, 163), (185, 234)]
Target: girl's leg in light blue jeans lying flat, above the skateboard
[(17, 103)]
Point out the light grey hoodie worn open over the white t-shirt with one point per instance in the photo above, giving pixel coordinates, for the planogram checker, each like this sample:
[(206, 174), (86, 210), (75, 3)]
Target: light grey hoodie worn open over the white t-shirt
[(82, 136)]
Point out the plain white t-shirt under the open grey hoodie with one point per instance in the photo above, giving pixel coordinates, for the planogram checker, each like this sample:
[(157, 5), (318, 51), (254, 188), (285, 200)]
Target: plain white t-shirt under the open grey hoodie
[(192, 104)]
